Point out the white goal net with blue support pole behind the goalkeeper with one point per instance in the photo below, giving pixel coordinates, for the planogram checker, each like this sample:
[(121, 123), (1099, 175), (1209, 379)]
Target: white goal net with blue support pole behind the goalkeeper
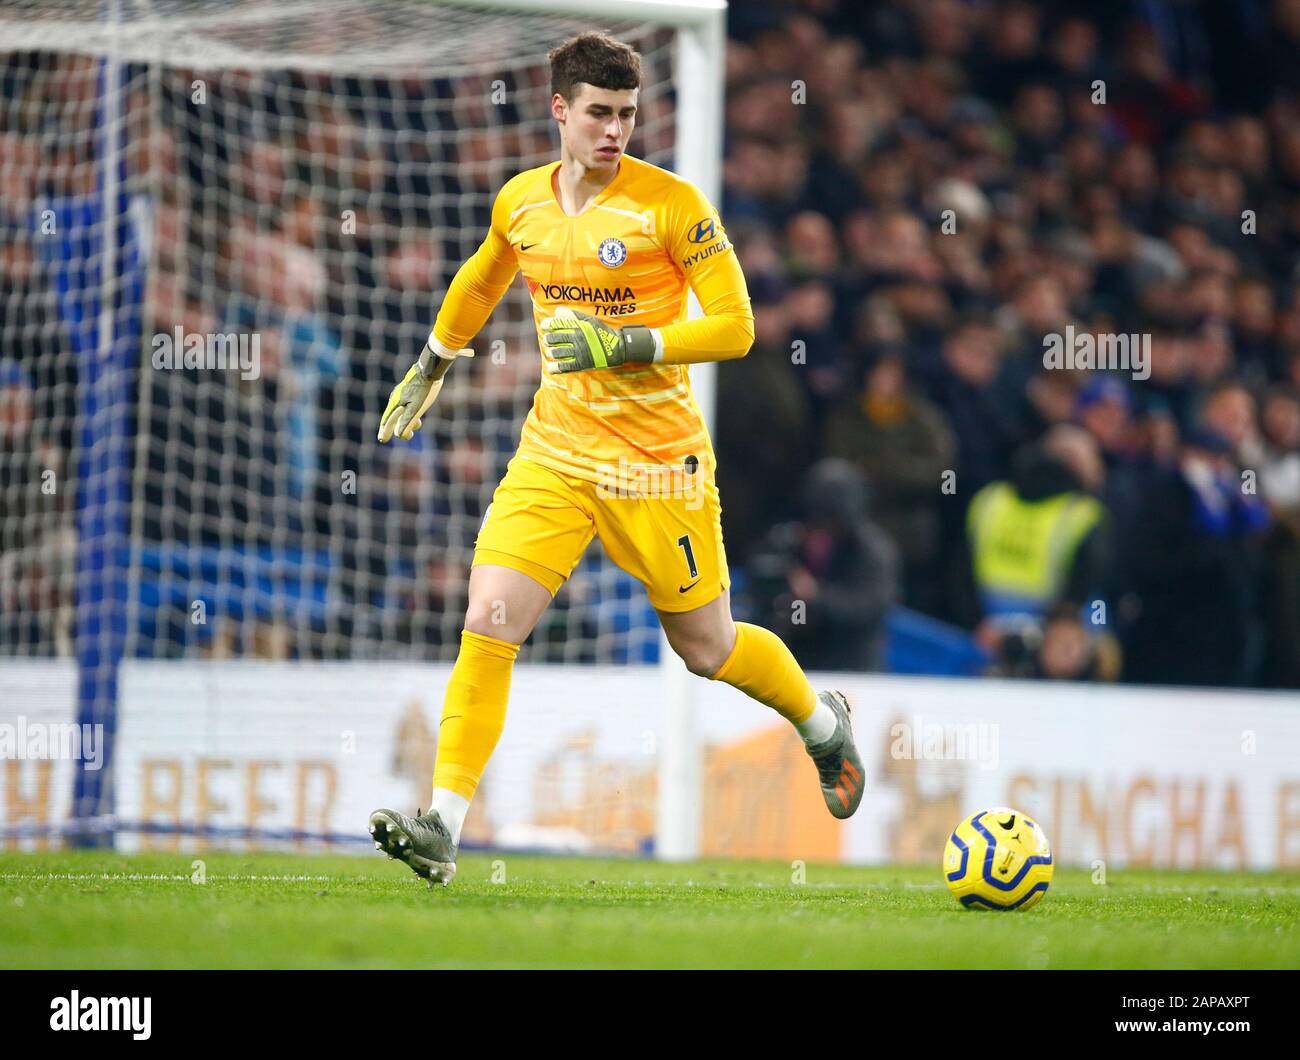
[(226, 231)]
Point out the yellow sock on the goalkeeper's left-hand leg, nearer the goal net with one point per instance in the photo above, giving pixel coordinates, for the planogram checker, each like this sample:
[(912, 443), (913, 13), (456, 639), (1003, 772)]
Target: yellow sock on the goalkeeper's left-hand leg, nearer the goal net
[(474, 712)]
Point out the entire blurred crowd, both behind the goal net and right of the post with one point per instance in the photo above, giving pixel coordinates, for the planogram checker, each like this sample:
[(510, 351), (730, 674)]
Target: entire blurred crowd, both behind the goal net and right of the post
[(925, 196)]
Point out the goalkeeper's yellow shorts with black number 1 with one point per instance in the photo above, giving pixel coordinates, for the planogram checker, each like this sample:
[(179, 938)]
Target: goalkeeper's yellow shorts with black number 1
[(662, 529)]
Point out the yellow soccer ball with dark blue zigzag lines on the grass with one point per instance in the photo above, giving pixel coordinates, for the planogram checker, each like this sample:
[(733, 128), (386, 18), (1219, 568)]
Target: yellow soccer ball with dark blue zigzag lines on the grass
[(998, 860)]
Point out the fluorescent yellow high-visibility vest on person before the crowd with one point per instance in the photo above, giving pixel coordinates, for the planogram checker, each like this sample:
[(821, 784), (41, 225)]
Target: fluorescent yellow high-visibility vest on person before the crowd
[(1024, 551)]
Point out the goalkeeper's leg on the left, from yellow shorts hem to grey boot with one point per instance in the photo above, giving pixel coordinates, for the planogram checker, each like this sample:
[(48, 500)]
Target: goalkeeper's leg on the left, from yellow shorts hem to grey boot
[(534, 535)]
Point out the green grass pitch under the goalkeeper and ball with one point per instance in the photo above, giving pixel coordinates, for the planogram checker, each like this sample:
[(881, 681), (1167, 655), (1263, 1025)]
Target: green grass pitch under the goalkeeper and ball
[(552, 912)]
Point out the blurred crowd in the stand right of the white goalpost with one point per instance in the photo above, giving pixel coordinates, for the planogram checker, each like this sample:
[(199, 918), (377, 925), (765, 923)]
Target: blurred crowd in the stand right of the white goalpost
[(926, 197)]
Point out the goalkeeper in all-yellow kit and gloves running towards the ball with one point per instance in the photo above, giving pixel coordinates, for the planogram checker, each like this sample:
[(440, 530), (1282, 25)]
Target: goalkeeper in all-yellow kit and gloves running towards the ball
[(609, 246)]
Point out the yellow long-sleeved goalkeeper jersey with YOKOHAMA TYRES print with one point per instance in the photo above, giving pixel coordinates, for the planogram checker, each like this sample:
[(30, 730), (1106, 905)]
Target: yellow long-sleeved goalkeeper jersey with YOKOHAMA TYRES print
[(630, 258)]
